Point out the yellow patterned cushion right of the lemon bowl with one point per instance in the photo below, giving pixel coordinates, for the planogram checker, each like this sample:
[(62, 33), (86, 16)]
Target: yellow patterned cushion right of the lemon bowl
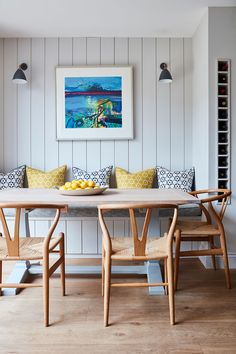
[(142, 179)]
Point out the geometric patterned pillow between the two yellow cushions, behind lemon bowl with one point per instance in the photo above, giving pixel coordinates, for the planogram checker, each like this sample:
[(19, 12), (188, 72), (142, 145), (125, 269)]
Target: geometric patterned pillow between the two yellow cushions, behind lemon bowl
[(101, 177)]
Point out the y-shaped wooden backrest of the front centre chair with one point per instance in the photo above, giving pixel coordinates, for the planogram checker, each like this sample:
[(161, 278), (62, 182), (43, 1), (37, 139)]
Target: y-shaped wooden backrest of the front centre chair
[(138, 242)]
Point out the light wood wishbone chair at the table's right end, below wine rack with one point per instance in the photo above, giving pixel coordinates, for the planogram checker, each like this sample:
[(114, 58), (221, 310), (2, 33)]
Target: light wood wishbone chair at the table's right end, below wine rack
[(207, 230)]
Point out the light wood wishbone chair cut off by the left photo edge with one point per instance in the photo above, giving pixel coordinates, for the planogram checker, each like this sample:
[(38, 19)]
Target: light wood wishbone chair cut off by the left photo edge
[(15, 248)]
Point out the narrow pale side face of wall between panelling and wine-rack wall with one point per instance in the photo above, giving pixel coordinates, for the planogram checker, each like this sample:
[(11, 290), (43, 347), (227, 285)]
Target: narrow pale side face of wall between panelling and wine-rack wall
[(200, 107)]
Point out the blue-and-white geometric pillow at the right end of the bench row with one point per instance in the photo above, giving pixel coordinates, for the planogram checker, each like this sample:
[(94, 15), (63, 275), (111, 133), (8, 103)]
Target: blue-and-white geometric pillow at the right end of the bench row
[(175, 179)]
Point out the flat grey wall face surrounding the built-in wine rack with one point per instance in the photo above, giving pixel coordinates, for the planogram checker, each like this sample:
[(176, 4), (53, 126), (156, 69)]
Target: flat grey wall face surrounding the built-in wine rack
[(222, 44)]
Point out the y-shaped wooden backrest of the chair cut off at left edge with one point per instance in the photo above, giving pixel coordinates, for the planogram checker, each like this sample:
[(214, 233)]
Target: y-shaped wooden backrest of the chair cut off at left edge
[(12, 241)]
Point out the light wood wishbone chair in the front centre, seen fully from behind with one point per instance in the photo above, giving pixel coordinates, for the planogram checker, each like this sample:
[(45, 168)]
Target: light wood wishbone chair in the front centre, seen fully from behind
[(137, 249)]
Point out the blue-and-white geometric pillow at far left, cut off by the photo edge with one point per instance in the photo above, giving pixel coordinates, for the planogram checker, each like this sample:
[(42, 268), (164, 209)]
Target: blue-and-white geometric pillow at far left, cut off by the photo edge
[(13, 179)]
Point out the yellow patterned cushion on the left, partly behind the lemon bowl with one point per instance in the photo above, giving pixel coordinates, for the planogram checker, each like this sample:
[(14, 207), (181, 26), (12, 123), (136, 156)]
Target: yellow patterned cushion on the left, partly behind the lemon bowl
[(41, 179)]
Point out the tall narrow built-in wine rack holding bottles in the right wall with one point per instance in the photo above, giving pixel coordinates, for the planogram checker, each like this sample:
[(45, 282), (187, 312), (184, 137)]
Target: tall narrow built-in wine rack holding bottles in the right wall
[(223, 123)]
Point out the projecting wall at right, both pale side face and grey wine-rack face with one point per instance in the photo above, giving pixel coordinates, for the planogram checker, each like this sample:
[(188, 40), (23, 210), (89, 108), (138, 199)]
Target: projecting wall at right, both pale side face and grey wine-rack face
[(215, 38)]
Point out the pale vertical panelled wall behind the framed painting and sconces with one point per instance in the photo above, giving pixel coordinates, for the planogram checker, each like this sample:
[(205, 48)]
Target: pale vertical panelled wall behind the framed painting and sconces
[(162, 113)]
